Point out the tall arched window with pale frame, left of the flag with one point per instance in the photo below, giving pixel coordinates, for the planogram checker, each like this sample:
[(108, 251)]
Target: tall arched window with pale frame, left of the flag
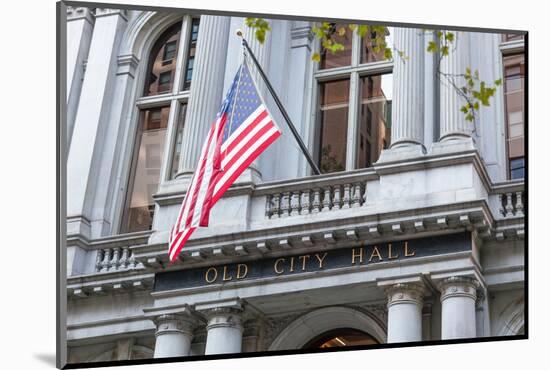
[(162, 108)]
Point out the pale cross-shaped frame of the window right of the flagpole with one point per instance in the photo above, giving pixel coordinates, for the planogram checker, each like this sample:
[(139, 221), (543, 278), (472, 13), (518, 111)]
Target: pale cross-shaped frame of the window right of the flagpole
[(354, 72)]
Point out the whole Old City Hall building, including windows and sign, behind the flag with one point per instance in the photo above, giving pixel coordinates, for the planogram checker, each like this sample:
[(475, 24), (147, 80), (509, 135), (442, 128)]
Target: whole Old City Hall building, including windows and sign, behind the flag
[(414, 231)]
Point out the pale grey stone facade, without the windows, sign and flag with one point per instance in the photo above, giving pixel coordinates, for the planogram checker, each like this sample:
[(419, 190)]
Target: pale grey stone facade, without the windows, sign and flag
[(423, 185)]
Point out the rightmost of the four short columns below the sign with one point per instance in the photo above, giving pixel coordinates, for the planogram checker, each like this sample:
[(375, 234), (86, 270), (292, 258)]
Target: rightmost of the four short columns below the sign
[(458, 307)]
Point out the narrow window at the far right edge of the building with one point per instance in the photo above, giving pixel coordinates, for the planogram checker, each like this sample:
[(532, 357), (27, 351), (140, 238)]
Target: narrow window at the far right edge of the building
[(514, 79)]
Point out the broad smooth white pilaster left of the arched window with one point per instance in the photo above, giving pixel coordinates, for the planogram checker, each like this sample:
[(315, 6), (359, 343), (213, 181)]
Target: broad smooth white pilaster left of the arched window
[(91, 120)]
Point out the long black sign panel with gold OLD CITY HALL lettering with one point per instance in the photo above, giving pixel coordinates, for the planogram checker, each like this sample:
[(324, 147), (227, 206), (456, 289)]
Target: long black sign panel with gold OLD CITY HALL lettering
[(310, 262)]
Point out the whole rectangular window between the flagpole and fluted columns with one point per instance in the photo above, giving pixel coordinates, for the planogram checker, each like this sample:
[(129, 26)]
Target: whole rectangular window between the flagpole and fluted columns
[(353, 104)]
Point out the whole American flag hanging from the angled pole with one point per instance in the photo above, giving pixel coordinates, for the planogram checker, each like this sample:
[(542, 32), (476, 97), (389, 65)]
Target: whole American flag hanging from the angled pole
[(242, 131)]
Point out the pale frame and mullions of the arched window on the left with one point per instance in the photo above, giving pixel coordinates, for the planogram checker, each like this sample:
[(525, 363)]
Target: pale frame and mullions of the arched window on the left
[(174, 99)]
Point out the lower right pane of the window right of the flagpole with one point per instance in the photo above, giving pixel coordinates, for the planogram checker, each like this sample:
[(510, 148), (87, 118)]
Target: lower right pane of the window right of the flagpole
[(375, 118)]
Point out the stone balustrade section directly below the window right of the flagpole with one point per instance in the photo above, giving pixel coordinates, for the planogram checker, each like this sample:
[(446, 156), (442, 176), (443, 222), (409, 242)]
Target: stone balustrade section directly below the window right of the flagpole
[(315, 198)]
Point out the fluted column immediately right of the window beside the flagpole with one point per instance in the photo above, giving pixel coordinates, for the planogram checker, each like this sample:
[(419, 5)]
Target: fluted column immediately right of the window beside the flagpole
[(408, 89)]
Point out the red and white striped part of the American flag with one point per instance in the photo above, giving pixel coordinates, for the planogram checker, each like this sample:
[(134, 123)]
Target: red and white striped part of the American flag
[(210, 181)]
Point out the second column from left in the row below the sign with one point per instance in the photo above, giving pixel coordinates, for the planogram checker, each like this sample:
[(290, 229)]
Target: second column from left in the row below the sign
[(224, 330)]
